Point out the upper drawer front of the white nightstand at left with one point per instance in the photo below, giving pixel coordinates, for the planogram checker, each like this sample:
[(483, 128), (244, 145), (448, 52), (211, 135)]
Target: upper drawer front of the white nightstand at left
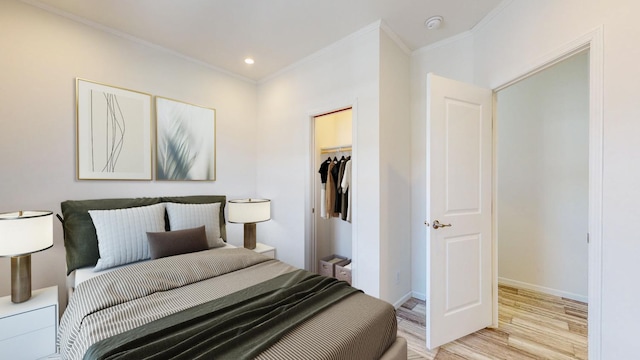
[(27, 322)]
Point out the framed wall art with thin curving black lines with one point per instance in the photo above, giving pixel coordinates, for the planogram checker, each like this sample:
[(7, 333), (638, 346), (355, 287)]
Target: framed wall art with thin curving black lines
[(113, 132)]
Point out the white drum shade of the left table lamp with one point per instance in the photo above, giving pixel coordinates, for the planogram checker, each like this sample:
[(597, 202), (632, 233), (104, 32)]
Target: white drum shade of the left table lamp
[(25, 232)]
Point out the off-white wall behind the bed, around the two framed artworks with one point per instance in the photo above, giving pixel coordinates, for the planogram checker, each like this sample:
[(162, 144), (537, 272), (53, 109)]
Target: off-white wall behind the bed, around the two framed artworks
[(42, 54)]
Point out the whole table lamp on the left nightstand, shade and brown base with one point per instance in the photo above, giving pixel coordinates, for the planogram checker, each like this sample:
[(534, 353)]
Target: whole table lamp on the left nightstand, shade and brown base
[(21, 234)]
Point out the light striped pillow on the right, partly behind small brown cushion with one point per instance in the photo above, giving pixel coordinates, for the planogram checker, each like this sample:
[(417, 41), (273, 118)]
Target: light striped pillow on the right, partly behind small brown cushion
[(188, 216)]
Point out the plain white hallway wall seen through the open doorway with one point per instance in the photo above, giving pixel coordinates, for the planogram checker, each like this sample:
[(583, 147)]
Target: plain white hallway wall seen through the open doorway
[(542, 180)]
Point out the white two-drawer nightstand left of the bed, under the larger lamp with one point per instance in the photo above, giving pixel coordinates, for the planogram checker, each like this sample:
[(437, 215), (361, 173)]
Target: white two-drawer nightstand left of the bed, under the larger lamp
[(28, 330)]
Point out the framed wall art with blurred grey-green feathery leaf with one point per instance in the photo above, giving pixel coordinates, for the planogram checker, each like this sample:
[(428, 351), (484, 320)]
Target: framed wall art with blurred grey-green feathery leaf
[(185, 141)]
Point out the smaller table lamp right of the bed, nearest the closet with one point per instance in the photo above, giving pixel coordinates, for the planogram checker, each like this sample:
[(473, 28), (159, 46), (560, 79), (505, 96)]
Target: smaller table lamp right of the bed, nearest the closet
[(249, 212)]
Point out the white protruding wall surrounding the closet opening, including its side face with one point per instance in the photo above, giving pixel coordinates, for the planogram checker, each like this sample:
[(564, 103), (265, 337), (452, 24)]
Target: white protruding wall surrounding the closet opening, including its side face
[(350, 72)]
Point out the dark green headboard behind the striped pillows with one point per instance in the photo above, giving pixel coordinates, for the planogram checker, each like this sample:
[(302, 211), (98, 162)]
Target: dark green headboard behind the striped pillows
[(80, 239)]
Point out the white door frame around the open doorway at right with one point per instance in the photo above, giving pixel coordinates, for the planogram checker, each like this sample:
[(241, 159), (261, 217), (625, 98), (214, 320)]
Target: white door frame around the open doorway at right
[(593, 43)]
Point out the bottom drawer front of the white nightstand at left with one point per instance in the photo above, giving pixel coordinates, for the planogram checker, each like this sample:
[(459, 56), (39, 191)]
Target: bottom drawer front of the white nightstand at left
[(29, 346)]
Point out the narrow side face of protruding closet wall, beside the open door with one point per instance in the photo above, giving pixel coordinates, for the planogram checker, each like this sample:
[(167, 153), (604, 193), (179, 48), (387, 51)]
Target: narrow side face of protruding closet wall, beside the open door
[(395, 171)]
